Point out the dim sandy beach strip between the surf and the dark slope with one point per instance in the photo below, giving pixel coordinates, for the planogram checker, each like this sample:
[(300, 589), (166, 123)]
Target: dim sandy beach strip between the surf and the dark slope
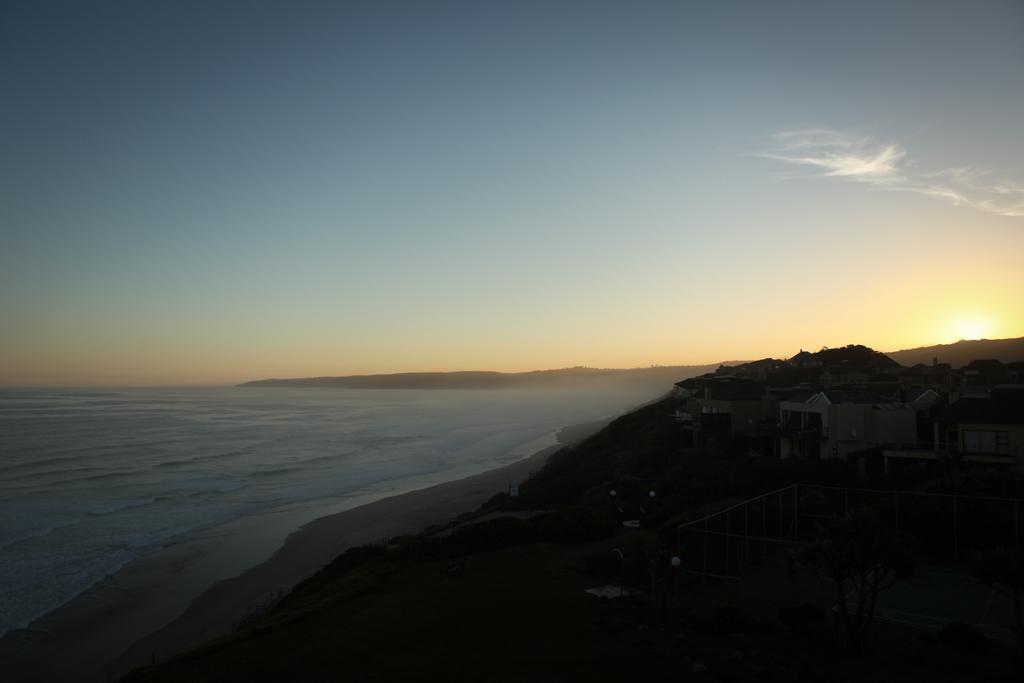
[(176, 599)]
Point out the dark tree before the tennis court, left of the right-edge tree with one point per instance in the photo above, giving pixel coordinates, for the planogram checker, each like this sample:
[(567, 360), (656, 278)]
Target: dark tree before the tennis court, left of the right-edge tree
[(862, 557)]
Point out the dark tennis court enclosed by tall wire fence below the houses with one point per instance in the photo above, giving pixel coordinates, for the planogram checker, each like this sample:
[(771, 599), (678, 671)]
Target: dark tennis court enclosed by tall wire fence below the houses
[(747, 541)]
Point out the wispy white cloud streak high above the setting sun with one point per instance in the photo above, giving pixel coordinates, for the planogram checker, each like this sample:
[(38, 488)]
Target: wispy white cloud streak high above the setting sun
[(885, 165)]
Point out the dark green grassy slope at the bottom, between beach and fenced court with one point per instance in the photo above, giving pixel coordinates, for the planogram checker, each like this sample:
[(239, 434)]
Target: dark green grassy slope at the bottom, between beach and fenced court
[(513, 613)]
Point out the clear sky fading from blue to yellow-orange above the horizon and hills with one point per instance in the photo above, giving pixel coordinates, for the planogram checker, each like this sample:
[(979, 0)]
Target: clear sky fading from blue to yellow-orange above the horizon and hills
[(198, 193)]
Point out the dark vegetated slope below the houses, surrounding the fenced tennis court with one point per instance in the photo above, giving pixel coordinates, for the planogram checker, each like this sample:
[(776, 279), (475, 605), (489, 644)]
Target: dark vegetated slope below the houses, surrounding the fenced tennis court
[(501, 597)]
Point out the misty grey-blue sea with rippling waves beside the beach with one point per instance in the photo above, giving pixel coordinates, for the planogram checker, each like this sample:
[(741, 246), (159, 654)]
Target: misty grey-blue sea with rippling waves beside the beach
[(93, 480)]
